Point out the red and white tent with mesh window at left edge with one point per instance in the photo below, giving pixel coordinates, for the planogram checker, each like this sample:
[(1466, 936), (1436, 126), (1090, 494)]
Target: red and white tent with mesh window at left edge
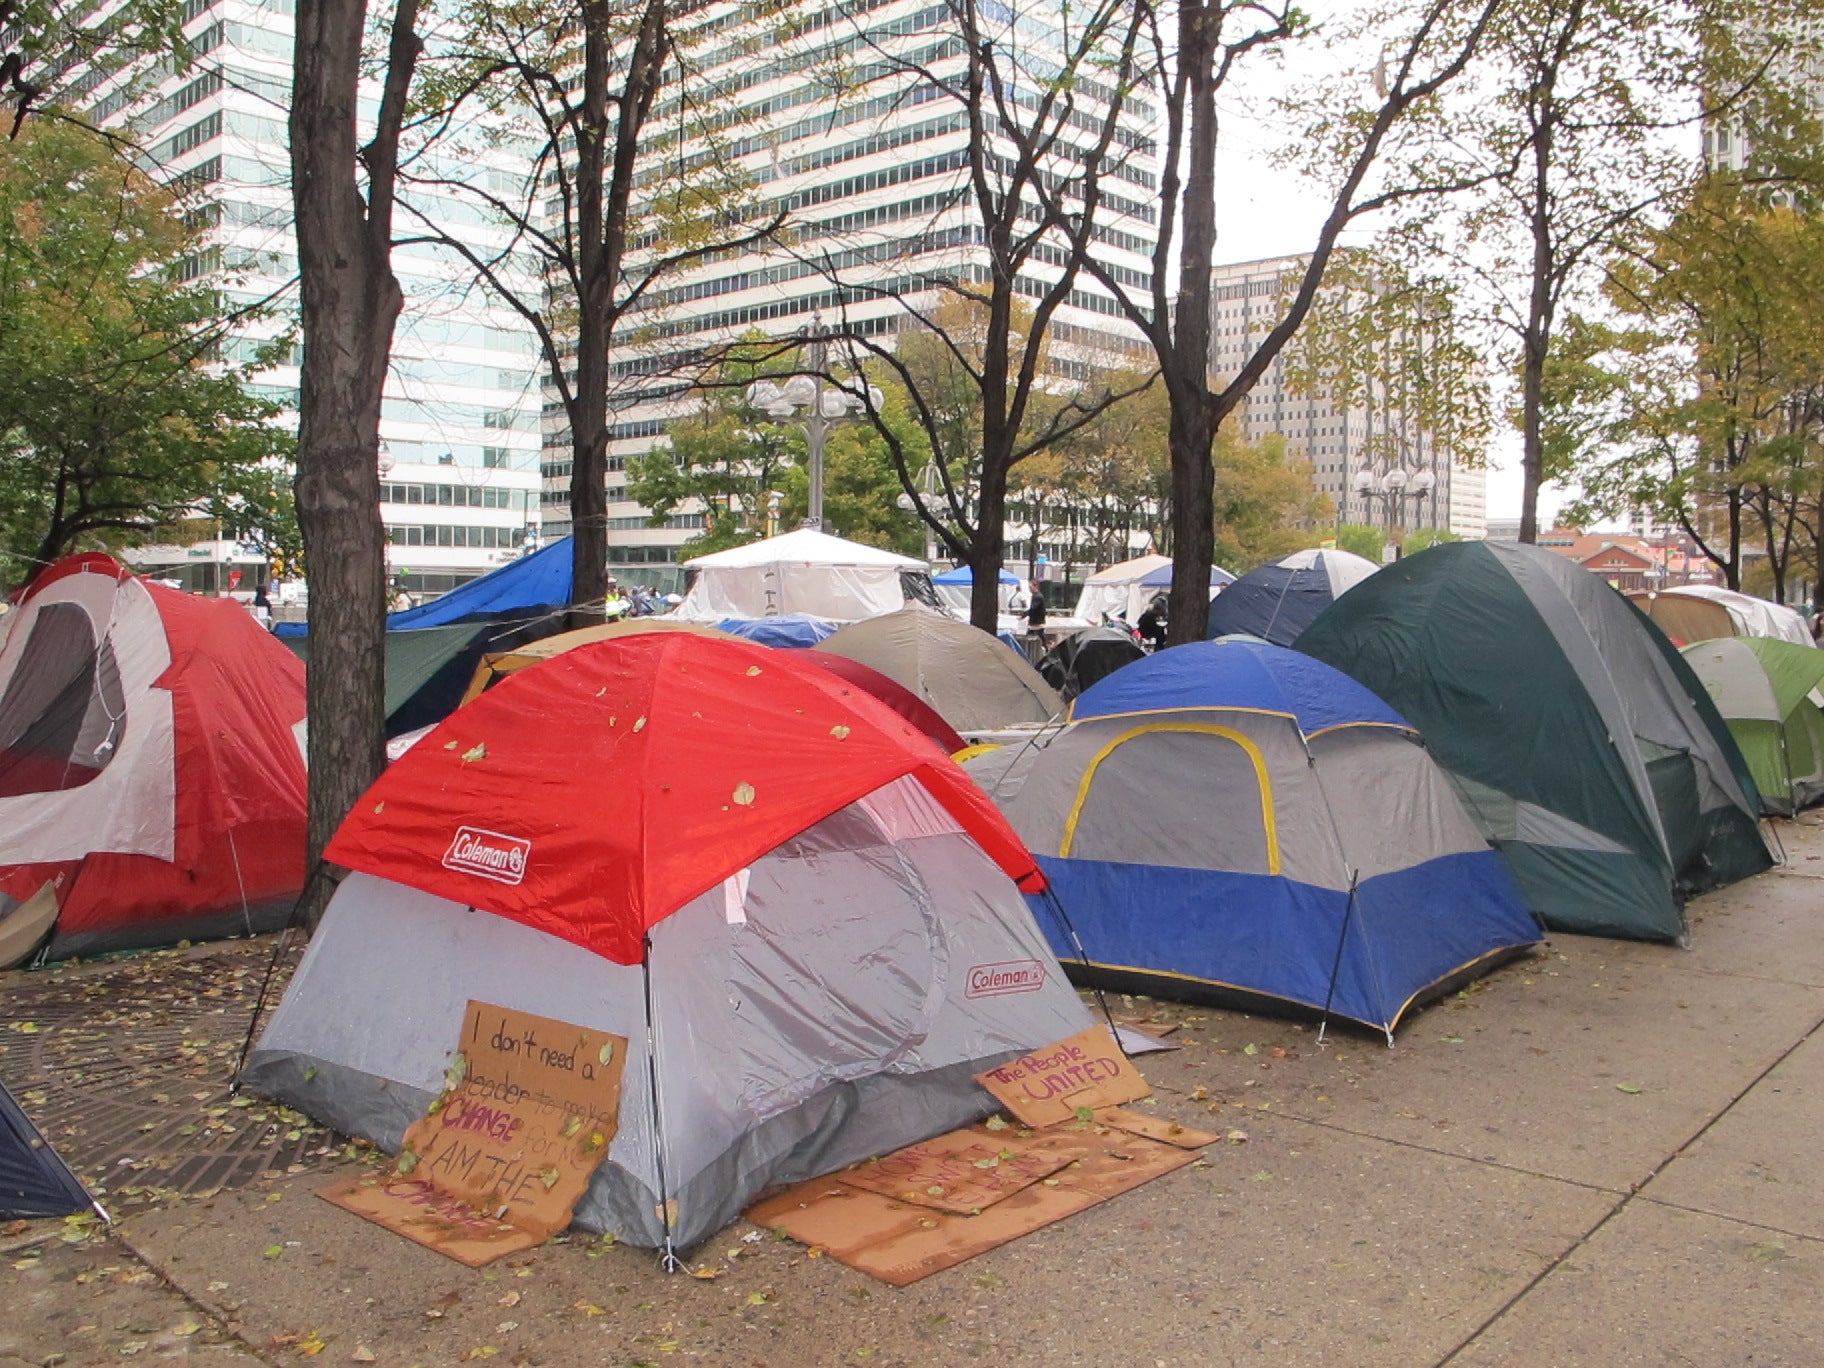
[(152, 783)]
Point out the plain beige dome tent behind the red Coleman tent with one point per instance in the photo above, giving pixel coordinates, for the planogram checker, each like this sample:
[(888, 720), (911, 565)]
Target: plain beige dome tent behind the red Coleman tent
[(969, 678)]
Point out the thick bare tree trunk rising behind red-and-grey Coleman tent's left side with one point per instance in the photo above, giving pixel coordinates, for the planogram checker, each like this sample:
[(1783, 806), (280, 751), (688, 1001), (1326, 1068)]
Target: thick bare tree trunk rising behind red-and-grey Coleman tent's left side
[(349, 306)]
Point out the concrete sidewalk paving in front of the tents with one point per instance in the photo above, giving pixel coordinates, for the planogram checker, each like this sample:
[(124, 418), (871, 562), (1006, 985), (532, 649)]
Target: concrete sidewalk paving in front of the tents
[(1602, 1156)]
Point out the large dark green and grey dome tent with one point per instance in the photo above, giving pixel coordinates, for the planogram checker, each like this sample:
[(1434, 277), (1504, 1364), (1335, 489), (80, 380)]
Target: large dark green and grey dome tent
[(1573, 731)]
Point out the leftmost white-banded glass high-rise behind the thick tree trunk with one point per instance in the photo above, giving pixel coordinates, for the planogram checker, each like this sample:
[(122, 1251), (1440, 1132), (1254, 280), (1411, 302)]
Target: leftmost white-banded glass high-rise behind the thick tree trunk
[(462, 406)]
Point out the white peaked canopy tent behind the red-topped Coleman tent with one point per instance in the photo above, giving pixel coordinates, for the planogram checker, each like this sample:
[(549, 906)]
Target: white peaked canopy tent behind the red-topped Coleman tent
[(803, 572)]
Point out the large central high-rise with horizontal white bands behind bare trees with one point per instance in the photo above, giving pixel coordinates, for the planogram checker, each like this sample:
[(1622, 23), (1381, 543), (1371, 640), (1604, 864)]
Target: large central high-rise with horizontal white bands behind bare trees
[(875, 176)]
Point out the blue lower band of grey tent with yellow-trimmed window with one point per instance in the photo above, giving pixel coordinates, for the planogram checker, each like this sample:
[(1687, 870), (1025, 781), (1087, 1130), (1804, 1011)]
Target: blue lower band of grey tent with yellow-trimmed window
[(1278, 938)]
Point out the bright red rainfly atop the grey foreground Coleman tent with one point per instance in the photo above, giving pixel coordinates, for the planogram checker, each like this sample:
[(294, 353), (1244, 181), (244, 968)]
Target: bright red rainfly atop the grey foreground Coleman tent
[(610, 785)]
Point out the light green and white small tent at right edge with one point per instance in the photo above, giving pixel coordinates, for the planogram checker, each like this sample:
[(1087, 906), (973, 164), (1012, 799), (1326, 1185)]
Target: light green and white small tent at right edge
[(1763, 689)]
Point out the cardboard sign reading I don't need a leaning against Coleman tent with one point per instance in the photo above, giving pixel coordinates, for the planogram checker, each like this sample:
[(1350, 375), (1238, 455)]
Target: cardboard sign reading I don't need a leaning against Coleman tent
[(513, 1141)]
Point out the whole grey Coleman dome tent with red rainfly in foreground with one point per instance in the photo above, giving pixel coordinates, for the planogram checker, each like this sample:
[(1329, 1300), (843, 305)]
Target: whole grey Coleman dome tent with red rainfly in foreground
[(803, 922)]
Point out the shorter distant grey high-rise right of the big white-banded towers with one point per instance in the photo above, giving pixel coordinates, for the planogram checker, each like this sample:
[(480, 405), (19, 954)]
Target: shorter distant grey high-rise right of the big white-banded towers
[(1376, 464)]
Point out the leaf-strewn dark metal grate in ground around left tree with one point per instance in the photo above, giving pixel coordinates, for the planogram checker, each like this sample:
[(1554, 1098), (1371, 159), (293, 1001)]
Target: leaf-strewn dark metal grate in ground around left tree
[(125, 1066)]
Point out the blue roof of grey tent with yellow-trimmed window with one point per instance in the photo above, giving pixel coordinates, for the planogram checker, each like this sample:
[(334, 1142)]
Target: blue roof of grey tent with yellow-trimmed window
[(1249, 676)]
